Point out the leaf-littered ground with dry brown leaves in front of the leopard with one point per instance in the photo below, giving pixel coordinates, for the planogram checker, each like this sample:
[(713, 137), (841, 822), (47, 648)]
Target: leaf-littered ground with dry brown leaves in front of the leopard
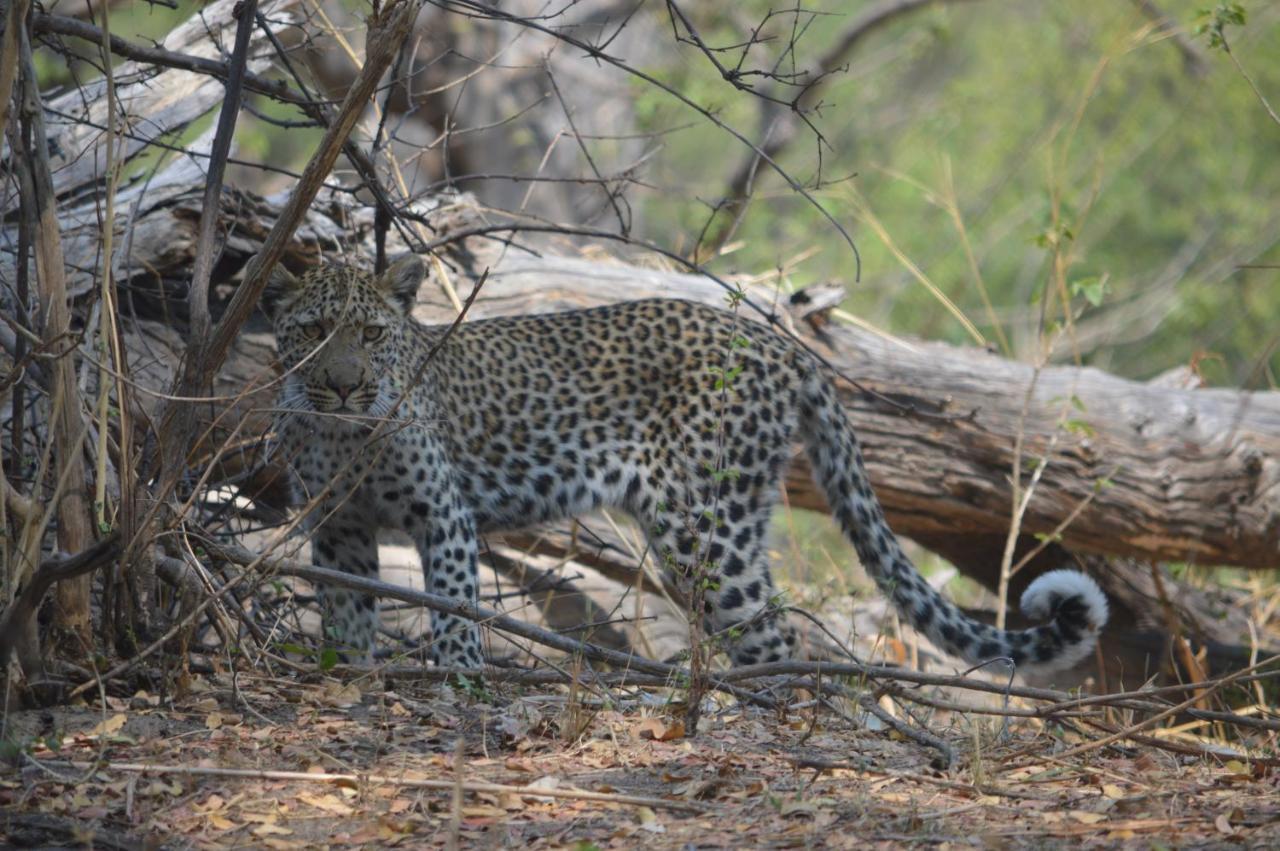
[(316, 761)]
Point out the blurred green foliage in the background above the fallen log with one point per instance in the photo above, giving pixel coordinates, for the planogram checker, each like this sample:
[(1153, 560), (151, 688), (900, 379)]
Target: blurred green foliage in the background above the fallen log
[(1013, 127)]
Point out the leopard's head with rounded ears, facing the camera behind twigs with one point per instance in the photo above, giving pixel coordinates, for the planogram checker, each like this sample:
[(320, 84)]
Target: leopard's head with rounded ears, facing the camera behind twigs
[(340, 332)]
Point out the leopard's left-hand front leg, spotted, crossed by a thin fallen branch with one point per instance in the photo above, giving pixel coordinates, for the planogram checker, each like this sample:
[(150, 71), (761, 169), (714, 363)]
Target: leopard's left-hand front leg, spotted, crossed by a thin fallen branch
[(346, 542)]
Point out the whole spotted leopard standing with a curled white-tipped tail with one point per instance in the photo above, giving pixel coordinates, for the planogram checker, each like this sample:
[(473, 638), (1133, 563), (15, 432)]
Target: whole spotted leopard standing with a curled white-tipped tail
[(676, 413)]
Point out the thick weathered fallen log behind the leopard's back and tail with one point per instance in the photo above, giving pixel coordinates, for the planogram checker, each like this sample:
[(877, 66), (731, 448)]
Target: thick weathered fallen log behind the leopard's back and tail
[(1169, 474)]
